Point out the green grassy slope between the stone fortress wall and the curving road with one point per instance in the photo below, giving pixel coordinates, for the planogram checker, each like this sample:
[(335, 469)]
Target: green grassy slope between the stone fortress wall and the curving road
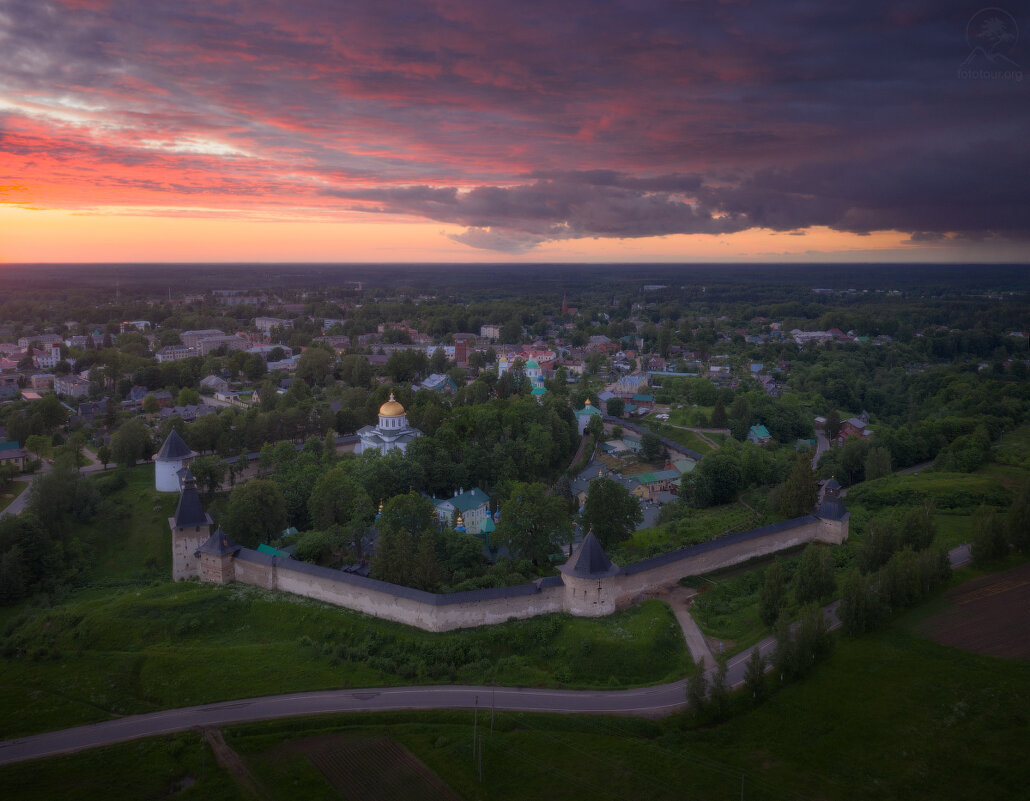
[(125, 651)]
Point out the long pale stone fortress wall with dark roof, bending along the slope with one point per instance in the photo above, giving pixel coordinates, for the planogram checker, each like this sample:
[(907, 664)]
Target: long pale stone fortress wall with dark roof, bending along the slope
[(581, 597)]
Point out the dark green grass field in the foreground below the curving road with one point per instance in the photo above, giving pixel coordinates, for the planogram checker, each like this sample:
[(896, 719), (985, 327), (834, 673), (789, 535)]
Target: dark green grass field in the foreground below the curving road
[(888, 716)]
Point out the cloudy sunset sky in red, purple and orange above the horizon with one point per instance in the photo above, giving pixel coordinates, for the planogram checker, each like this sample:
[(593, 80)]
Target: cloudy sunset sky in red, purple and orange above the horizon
[(321, 131)]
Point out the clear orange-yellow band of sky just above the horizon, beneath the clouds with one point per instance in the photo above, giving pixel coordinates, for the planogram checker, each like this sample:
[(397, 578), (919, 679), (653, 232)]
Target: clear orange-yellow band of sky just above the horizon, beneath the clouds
[(55, 236)]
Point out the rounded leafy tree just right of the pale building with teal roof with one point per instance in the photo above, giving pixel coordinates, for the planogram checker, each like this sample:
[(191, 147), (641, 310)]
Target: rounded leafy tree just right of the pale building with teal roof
[(533, 524)]
